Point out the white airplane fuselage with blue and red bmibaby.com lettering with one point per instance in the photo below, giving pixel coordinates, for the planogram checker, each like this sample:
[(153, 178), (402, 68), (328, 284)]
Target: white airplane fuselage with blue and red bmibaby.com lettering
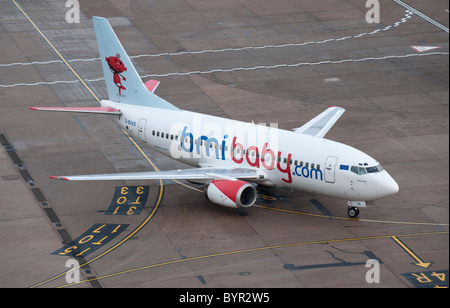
[(286, 158)]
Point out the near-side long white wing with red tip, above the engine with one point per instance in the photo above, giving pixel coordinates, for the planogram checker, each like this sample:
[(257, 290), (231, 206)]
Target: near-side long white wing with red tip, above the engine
[(185, 174)]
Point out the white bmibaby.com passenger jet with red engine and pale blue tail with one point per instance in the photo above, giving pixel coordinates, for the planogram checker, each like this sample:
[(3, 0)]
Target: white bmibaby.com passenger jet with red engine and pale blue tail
[(230, 157)]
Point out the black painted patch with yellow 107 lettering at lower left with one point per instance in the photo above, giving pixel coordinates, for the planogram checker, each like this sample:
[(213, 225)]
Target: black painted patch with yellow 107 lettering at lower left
[(95, 237)]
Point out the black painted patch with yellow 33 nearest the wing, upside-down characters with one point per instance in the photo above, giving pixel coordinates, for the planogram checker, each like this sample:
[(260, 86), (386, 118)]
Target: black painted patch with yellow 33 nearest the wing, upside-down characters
[(128, 200)]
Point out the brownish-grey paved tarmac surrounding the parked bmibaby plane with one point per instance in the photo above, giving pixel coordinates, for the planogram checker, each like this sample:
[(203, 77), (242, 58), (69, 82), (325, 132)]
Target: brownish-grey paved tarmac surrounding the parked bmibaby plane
[(248, 60)]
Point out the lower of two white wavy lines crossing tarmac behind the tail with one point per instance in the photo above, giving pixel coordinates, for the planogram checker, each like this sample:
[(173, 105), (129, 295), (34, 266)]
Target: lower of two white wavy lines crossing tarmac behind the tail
[(236, 69)]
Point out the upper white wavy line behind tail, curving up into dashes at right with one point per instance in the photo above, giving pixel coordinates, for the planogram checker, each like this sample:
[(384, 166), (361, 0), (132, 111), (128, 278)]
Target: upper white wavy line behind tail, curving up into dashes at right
[(405, 18)]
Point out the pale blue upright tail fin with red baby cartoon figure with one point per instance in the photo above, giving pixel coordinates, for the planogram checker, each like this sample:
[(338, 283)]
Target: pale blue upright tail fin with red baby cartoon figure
[(122, 80)]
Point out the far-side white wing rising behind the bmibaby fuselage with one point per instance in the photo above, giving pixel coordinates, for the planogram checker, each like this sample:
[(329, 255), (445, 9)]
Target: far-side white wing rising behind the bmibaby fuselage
[(322, 123)]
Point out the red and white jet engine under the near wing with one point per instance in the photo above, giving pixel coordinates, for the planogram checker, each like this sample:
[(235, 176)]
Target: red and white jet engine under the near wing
[(236, 194)]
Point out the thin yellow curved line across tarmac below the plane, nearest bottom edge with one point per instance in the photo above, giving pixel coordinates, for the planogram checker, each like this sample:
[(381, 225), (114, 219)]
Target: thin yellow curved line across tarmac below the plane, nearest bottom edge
[(251, 250)]
